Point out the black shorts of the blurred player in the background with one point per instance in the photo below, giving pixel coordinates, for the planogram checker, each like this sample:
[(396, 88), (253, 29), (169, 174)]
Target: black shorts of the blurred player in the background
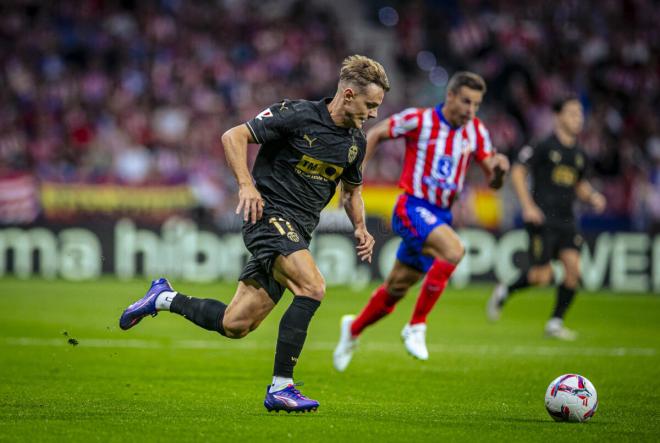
[(545, 241)]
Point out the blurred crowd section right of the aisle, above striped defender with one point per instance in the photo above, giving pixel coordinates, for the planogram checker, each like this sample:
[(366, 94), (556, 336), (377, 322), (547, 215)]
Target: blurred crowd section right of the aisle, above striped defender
[(605, 51)]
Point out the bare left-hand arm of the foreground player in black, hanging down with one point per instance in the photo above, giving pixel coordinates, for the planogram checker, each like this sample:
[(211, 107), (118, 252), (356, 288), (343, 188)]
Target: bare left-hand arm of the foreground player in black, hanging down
[(235, 142)]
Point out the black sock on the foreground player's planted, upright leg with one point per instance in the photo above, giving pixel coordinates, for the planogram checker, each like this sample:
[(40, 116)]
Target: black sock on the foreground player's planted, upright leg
[(293, 331)]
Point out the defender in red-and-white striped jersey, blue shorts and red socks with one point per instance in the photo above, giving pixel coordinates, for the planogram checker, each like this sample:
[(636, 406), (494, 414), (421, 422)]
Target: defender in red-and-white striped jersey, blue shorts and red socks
[(440, 144)]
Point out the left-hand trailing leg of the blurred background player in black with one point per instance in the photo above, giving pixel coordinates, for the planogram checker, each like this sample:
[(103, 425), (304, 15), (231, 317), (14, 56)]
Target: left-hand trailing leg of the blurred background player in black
[(539, 273)]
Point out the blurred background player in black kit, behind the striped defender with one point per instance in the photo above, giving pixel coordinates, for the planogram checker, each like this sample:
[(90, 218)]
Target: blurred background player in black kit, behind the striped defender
[(557, 168)]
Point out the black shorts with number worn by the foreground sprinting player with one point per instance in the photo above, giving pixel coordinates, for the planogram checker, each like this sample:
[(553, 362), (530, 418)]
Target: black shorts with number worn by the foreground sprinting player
[(268, 238)]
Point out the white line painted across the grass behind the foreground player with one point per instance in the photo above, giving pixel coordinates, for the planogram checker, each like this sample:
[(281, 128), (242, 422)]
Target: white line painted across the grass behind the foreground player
[(495, 350)]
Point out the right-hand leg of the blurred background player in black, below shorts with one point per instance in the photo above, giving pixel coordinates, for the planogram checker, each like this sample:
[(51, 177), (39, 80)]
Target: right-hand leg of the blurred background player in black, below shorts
[(570, 260)]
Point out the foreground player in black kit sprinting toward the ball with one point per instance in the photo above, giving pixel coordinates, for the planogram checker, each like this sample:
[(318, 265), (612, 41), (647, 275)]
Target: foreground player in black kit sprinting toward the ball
[(307, 148)]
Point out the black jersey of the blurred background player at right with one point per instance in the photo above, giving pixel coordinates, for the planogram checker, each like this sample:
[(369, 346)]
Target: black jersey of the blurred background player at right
[(554, 169)]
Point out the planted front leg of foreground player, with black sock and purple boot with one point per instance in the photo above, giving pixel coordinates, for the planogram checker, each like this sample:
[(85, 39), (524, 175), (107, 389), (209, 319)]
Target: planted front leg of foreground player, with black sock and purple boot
[(299, 273)]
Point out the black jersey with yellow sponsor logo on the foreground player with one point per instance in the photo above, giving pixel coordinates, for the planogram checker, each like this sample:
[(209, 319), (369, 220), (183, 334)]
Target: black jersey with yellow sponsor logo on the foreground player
[(302, 158)]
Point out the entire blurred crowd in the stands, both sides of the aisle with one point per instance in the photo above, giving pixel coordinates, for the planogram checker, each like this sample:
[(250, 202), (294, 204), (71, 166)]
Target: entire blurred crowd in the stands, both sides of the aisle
[(139, 92)]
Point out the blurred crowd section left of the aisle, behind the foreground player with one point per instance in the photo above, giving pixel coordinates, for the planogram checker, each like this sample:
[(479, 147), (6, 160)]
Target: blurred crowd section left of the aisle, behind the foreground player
[(139, 92)]
